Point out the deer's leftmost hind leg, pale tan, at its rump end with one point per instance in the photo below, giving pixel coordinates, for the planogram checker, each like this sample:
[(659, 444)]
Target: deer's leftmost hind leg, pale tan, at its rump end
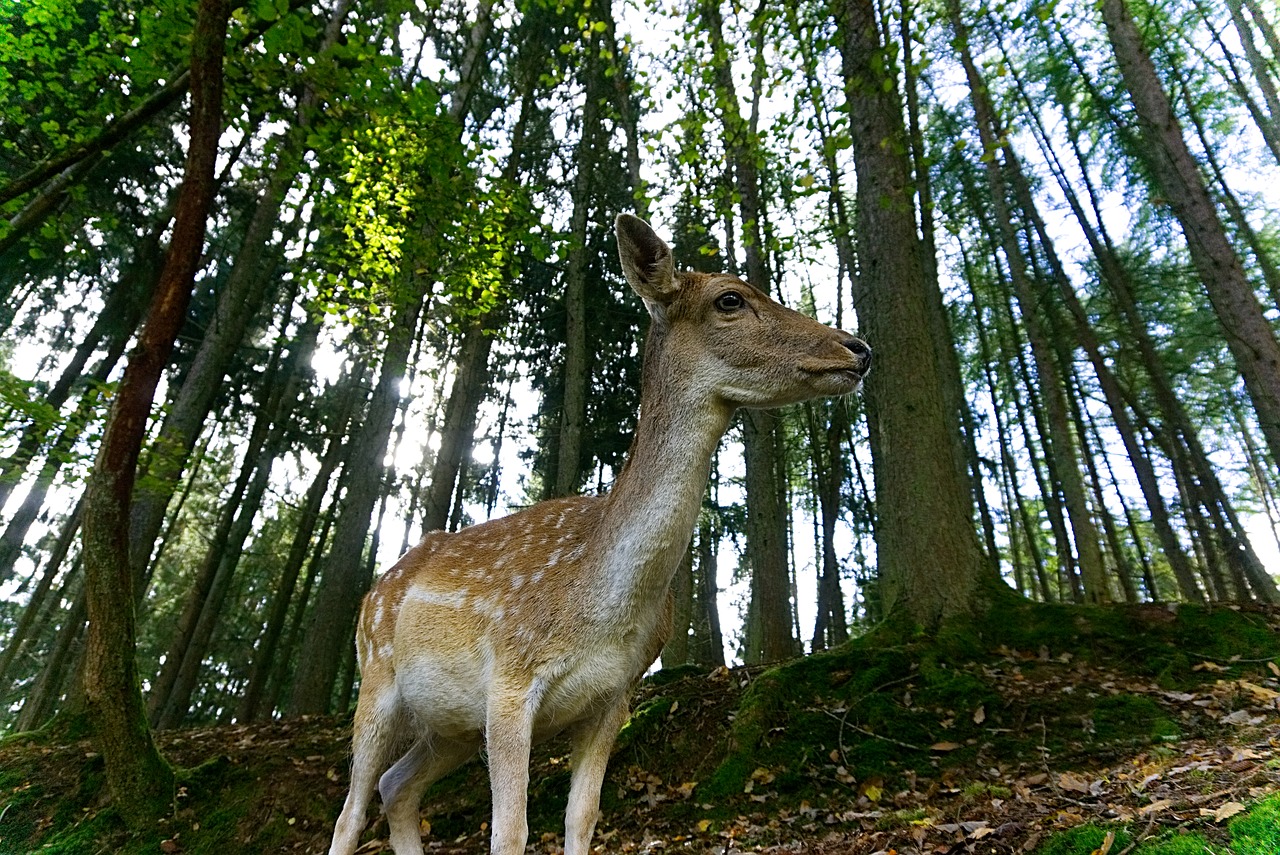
[(380, 726)]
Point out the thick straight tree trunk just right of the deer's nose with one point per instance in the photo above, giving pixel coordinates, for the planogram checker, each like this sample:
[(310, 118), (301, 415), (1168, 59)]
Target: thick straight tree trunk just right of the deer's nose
[(929, 555)]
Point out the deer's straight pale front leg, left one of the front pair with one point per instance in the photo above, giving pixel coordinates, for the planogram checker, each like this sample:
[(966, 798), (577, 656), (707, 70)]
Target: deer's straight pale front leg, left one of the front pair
[(509, 737)]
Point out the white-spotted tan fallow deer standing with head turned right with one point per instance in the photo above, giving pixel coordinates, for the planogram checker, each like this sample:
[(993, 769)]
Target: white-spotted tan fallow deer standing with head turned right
[(514, 630)]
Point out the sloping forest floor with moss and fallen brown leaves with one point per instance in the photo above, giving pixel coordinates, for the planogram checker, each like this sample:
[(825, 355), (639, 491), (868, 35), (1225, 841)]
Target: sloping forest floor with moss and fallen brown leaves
[(1103, 733)]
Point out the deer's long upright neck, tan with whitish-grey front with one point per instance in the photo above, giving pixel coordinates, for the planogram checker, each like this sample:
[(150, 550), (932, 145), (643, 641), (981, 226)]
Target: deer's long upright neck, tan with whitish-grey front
[(652, 510)]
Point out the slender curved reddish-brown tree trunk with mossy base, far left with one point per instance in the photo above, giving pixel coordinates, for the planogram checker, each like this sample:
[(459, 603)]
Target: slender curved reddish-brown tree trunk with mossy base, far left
[(139, 778)]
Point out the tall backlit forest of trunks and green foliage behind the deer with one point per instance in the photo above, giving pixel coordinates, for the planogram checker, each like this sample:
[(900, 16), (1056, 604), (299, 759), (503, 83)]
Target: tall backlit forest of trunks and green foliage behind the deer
[(1055, 223)]
